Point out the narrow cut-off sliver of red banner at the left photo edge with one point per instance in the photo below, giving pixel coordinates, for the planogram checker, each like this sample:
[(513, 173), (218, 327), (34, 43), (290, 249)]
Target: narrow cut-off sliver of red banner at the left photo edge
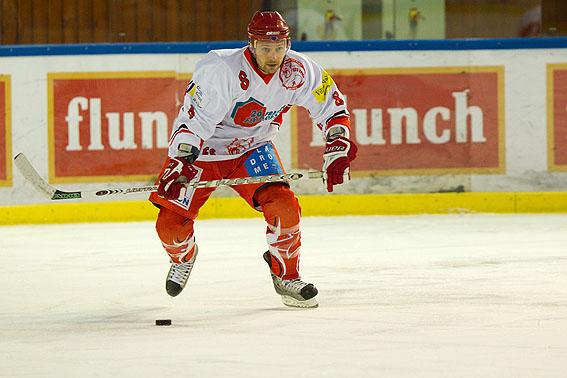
[(5, 132)]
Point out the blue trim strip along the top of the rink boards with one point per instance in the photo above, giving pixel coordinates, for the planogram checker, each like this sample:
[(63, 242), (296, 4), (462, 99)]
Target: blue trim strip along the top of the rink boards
[(303, 46)]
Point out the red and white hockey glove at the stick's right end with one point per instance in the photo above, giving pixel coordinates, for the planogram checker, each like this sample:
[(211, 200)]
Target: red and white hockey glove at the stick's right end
[(338, 154)]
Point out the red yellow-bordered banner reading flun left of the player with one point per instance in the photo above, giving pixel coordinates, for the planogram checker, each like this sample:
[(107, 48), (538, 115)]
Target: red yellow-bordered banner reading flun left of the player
[(111, 126)]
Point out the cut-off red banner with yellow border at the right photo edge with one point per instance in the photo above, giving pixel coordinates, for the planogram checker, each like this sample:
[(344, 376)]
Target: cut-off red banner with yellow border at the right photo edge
[(557, 117)]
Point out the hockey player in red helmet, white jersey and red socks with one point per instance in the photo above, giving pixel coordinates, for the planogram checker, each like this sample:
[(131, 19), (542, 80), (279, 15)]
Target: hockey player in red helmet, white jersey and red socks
[(233, 108)]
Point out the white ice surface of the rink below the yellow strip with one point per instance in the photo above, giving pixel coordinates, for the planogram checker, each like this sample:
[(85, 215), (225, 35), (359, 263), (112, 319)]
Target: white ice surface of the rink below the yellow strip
[(420, 296)]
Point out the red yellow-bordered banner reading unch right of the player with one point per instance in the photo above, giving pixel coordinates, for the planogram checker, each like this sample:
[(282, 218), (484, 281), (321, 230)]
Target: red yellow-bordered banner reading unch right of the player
[(416, 121)]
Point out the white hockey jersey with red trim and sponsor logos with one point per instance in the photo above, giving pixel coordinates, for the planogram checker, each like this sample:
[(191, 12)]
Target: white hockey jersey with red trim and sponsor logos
[(231, 107)]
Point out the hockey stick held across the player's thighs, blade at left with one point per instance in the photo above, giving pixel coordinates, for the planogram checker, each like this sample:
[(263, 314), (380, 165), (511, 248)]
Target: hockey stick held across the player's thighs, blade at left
[(42, 186)]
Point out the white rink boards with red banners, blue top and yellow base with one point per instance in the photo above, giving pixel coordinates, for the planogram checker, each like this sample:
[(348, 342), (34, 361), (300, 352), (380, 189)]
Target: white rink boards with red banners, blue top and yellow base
[(442, 126)]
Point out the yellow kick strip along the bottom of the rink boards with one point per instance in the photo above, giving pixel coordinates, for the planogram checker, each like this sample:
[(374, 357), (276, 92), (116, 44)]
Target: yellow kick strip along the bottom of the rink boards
[(312, 205)]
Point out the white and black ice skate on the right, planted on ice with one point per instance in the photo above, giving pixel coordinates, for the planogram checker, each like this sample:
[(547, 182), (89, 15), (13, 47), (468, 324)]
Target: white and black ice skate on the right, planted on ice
[(295, 293)]
